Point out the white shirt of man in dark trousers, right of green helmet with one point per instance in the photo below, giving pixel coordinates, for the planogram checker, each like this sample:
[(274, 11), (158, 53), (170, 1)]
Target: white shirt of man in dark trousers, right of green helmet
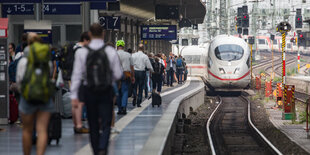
[(141, 61)]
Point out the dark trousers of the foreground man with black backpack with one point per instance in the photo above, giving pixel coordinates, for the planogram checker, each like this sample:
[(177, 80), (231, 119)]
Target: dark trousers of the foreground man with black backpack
[(99, 107)]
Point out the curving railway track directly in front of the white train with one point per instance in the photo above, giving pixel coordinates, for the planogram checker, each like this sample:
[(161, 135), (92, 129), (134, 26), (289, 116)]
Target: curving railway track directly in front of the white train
[(231, 131)]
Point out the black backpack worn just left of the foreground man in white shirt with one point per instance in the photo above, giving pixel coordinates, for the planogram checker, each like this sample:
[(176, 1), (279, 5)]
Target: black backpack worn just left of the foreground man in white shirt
[(66, 56)]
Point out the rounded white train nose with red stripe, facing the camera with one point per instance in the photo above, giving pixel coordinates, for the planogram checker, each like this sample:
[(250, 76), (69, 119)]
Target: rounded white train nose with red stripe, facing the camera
[(228, 63)]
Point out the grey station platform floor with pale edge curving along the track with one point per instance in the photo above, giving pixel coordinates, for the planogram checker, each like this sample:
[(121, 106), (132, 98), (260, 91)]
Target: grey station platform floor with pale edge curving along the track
[(137, 129)]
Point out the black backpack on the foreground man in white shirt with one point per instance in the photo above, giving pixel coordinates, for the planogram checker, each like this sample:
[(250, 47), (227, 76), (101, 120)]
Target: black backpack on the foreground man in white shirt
[(99, 74)]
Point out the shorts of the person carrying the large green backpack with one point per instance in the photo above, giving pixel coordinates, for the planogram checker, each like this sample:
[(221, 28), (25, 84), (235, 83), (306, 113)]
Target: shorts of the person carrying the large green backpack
[(27, 108)]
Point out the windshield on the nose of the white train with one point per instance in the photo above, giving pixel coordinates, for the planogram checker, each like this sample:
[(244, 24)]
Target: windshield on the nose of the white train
[(229, 52)]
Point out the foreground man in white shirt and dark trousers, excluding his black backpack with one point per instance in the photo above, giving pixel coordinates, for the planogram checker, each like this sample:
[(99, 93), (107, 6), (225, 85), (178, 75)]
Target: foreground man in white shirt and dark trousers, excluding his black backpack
[(99, 104)]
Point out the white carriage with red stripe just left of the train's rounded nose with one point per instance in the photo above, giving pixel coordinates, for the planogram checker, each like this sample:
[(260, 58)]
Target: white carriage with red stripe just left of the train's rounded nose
[(195, 58)]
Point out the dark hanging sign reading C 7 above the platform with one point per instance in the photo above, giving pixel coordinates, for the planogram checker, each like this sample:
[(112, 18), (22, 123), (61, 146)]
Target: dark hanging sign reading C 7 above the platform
[(110, 22)]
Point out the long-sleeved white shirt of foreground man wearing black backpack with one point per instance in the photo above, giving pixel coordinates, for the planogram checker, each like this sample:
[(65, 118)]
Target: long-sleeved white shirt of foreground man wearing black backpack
[(79, 67)]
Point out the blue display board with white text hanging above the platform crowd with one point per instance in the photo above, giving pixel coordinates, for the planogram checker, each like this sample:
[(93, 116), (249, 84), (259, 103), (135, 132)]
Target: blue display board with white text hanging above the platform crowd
[(158, 32)]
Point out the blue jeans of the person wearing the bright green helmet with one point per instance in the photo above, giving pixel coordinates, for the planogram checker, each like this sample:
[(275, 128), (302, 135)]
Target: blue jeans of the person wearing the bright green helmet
[(122, 98)]
